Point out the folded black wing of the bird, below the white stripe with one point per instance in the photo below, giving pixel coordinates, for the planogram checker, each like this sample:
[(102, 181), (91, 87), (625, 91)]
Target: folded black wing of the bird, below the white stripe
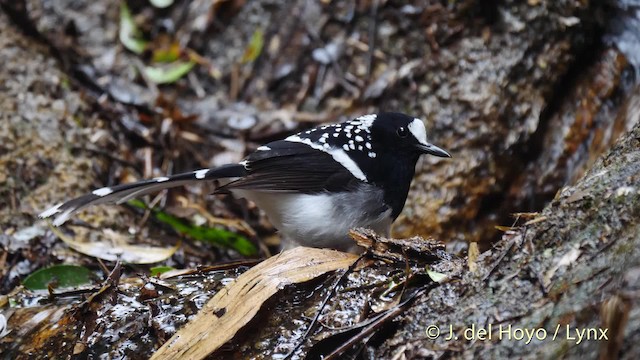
[(286, 166)]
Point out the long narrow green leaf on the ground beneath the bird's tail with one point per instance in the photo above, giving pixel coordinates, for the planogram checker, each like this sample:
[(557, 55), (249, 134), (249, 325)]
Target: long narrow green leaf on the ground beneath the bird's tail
[(218, 237)]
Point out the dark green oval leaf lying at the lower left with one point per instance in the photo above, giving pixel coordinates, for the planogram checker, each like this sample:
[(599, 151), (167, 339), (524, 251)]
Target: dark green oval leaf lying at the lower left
[(58, 275)]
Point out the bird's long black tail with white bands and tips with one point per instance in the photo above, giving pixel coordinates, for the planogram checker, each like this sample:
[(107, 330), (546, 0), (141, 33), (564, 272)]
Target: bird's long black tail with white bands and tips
[(121, 193)]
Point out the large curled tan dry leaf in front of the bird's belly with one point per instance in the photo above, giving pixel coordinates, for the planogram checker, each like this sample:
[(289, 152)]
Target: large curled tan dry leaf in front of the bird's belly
[(235, 305)]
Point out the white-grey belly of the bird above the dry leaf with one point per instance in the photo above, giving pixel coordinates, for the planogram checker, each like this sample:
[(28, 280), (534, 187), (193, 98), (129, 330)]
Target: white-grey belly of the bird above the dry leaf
[(321, 220)]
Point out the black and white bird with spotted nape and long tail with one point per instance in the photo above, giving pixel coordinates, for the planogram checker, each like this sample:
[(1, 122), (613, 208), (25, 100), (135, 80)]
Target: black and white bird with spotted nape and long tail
[(314, 186)]
